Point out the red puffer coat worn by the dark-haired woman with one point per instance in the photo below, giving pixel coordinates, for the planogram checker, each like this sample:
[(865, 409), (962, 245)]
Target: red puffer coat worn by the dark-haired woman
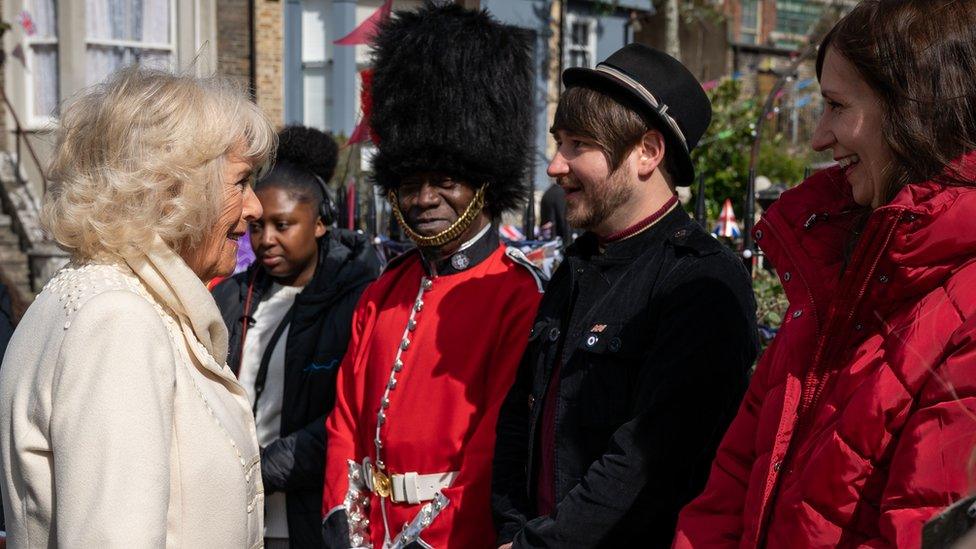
[(860, 421)]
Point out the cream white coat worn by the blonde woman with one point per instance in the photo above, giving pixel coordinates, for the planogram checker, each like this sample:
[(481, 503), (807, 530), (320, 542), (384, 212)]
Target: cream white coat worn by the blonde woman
[(120, 424)]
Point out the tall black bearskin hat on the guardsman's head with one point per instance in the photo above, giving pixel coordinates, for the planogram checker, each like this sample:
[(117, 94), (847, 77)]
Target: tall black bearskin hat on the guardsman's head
[(452, 93)]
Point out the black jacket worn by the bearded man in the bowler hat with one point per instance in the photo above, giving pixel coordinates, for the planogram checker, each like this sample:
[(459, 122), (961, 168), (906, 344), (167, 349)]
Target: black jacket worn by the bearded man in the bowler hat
[(655, 337)]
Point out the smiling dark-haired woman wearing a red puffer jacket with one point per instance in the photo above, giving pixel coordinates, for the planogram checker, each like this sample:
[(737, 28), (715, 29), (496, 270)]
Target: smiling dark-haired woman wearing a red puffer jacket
[(860, 420)]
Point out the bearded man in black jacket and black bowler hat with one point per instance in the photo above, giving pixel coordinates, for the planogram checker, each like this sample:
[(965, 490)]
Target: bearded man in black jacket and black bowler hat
[(639, 354)]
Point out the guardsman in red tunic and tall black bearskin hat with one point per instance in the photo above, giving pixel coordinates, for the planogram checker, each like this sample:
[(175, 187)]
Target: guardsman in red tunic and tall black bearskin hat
[(438, 337)]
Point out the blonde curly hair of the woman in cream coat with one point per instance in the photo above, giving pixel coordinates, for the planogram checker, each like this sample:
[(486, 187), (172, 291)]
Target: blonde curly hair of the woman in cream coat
[(142, 154)]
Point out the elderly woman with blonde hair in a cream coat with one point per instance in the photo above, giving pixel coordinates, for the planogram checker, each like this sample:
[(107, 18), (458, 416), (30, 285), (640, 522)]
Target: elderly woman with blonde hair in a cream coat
[(121, 425)]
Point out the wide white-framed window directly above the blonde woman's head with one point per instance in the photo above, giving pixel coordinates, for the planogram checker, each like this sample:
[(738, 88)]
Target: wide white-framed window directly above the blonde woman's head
[(121, 32)]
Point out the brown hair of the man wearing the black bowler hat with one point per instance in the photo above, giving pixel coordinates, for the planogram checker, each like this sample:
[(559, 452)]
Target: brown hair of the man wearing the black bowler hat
[(613, 125)]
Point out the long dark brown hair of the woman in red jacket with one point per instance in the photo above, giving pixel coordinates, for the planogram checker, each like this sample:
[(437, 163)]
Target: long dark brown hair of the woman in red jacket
[(919, 56)]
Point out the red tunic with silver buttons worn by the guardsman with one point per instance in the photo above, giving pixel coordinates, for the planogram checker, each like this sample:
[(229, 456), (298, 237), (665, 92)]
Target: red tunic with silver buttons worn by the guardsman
[(467, 340)]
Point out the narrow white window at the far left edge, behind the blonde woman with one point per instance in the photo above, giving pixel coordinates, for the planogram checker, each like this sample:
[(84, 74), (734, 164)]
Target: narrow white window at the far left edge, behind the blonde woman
[(41, 58)]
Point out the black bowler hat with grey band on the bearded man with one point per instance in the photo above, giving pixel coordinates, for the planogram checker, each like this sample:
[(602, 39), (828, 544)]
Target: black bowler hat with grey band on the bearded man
[(661, 87)]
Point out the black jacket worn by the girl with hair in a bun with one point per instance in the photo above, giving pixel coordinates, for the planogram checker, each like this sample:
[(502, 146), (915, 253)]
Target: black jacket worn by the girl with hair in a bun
[(321, 324)]
